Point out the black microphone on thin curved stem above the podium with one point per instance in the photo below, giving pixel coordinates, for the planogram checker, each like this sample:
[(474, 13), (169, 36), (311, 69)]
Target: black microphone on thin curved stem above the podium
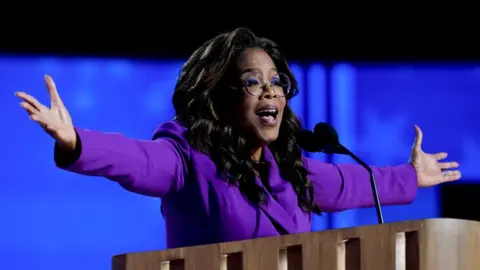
[(325, 139)]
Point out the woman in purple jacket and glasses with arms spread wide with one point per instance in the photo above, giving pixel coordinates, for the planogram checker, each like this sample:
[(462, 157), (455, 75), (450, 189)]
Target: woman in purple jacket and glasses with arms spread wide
[(228, 166)]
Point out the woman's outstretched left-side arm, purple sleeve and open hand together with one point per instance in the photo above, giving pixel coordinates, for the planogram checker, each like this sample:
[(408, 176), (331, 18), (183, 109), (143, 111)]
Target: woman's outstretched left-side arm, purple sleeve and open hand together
[(153, 168)]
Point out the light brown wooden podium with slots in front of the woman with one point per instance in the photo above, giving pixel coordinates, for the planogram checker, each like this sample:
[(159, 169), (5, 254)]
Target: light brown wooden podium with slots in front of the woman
[(431, 244)]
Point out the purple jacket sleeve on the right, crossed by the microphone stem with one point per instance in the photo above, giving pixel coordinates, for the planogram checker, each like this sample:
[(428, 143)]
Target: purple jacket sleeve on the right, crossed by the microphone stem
[(347, 186)]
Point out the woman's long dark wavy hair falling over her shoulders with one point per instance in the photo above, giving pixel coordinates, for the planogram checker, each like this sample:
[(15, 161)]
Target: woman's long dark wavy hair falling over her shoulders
[(201, 103)]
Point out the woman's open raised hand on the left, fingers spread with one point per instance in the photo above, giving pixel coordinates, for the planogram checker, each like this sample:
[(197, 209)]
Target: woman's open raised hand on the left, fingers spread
[(56, 120)]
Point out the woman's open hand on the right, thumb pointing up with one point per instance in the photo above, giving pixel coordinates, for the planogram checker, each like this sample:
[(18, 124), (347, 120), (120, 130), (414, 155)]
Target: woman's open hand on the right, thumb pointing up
[(430, 171)]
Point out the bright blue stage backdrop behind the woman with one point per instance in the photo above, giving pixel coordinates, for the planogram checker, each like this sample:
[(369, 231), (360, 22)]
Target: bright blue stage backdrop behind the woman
[(52, 219)]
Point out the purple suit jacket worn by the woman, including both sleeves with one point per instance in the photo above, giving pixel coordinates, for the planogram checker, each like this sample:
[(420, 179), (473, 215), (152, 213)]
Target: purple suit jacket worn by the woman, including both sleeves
[(201, 208)]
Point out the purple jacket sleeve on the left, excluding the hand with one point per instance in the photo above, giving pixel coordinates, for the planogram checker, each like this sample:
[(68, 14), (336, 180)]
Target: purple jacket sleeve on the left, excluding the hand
[(152, 168)]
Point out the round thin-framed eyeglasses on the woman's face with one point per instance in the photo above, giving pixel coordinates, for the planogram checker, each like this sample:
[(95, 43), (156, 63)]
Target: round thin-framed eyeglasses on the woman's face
[(255, 86)]
